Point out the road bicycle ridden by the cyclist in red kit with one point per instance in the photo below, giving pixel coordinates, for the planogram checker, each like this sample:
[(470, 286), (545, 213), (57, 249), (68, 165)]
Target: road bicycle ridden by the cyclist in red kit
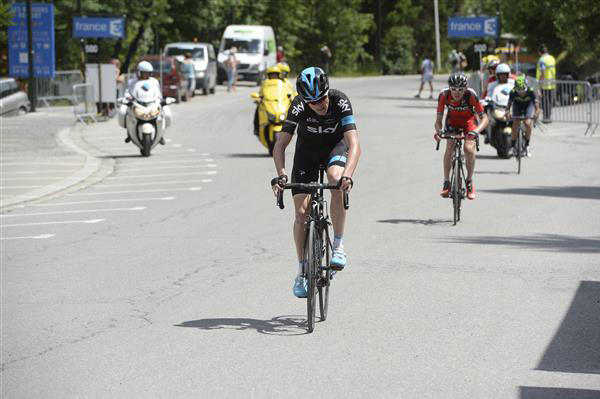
[(458, 179)]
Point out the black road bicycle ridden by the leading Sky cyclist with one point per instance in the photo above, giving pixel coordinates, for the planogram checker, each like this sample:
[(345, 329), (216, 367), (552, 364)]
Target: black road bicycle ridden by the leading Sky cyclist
[(317, 246)]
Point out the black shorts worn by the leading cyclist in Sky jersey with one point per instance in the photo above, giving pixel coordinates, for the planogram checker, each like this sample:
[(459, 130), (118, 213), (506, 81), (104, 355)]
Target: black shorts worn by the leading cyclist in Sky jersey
[(308, 159)]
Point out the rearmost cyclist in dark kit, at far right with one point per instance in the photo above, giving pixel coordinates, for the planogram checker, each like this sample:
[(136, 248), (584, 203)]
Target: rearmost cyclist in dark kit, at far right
[(523, 100)]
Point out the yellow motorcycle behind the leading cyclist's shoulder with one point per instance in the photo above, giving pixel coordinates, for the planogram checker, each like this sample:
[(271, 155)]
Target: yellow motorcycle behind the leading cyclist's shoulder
[(272, 110)]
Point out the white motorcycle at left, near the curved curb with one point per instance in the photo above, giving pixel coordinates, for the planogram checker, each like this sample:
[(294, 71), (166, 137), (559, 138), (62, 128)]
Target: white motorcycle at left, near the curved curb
[(145, 116)]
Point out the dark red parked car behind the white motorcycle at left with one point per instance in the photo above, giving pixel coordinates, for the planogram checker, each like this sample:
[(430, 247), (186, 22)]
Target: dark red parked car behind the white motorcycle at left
[(170, 72)]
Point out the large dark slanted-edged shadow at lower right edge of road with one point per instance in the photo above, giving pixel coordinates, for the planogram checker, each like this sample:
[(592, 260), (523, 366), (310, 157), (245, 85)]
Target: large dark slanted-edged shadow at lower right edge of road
[(575, 348)]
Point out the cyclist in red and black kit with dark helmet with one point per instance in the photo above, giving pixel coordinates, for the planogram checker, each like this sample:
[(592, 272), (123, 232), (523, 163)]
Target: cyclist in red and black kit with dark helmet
[(464, 109)]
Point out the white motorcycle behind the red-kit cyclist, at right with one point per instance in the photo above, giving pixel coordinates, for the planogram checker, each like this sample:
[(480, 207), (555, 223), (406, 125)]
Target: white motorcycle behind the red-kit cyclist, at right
[(499, 129)]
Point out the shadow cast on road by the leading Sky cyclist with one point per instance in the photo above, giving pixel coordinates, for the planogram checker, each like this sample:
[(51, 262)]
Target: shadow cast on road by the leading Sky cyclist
[(279, 325)]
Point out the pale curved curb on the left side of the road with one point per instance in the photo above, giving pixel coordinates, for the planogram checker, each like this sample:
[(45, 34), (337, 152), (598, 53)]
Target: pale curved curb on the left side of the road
[(94, 169)]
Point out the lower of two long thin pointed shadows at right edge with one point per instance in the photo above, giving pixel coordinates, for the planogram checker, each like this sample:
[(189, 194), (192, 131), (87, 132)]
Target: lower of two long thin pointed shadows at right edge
[(542, 242)]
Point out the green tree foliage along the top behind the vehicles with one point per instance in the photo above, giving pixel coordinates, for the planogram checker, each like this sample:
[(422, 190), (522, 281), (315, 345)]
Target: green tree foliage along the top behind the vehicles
[(391, 36)]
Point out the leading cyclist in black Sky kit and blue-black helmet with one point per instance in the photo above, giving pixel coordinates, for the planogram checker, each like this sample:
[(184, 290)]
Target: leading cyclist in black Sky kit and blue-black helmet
[(326, 135)]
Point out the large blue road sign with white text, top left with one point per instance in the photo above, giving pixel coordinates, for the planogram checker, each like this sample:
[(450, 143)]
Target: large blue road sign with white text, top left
[(42, 23)]
